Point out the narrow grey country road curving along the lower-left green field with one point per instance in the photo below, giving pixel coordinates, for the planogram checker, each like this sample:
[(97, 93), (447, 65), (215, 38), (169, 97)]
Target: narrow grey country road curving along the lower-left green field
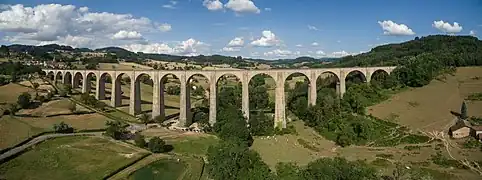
[(40, 139)]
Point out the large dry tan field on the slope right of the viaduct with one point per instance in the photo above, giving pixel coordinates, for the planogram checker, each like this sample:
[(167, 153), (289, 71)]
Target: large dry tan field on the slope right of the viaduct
[(428, 108)]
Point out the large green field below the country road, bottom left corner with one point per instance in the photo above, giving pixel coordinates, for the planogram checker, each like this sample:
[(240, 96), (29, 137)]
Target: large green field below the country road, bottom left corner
[(70, 158)]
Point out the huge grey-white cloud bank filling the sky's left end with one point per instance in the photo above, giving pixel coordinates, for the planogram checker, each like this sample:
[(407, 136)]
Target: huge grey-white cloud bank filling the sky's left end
[(68, 25)]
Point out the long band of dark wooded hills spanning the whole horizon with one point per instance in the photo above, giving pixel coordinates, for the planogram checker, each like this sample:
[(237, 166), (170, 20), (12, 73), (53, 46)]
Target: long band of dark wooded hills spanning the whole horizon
[(453, 50)]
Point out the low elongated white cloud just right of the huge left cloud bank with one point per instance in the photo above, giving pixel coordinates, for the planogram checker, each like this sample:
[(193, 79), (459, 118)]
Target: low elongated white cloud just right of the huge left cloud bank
[(190, 47)]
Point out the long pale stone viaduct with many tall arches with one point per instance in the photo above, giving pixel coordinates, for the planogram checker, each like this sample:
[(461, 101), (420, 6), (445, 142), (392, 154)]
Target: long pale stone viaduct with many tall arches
[(77, 77)]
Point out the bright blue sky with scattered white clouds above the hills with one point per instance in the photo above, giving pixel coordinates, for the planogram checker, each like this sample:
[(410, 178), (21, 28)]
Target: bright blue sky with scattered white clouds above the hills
[(269, 29)]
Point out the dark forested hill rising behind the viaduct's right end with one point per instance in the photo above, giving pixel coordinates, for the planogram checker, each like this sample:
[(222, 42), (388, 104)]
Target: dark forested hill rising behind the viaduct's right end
[(451, 50)]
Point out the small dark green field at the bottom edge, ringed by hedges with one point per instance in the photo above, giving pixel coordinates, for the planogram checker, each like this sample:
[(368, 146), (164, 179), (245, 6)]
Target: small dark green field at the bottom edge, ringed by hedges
[(165, 169)]
